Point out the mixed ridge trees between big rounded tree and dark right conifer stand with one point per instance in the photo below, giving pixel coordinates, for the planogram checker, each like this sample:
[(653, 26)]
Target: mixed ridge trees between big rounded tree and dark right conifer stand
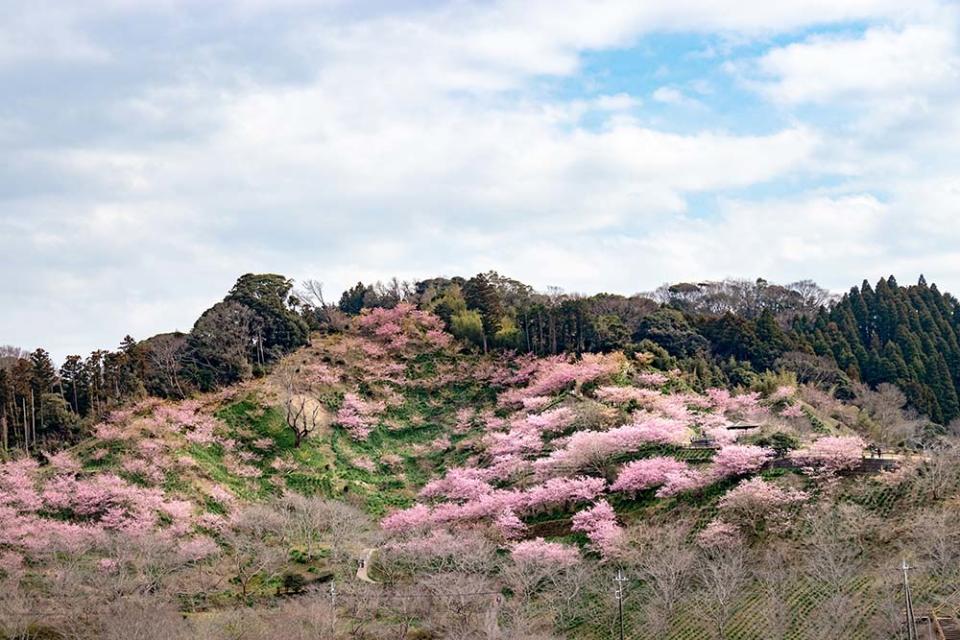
[(713, 329)]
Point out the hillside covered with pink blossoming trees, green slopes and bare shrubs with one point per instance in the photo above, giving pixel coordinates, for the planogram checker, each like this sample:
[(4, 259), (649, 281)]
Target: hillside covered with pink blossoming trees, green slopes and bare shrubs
[(490, 496)]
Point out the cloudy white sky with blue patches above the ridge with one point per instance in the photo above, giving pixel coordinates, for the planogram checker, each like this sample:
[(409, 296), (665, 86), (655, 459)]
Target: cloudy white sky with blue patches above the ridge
[(151, 152)]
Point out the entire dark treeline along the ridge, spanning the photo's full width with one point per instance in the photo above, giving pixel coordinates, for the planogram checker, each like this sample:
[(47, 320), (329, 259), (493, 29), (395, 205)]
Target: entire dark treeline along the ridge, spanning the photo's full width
[(721, 333)]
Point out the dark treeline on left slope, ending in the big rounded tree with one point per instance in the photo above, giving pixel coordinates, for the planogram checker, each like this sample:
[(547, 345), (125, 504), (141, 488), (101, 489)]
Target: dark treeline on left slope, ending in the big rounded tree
[(258, 321)]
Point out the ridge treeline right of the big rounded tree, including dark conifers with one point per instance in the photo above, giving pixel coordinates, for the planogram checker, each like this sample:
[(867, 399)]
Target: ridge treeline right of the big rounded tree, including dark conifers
[(722, 333)]
